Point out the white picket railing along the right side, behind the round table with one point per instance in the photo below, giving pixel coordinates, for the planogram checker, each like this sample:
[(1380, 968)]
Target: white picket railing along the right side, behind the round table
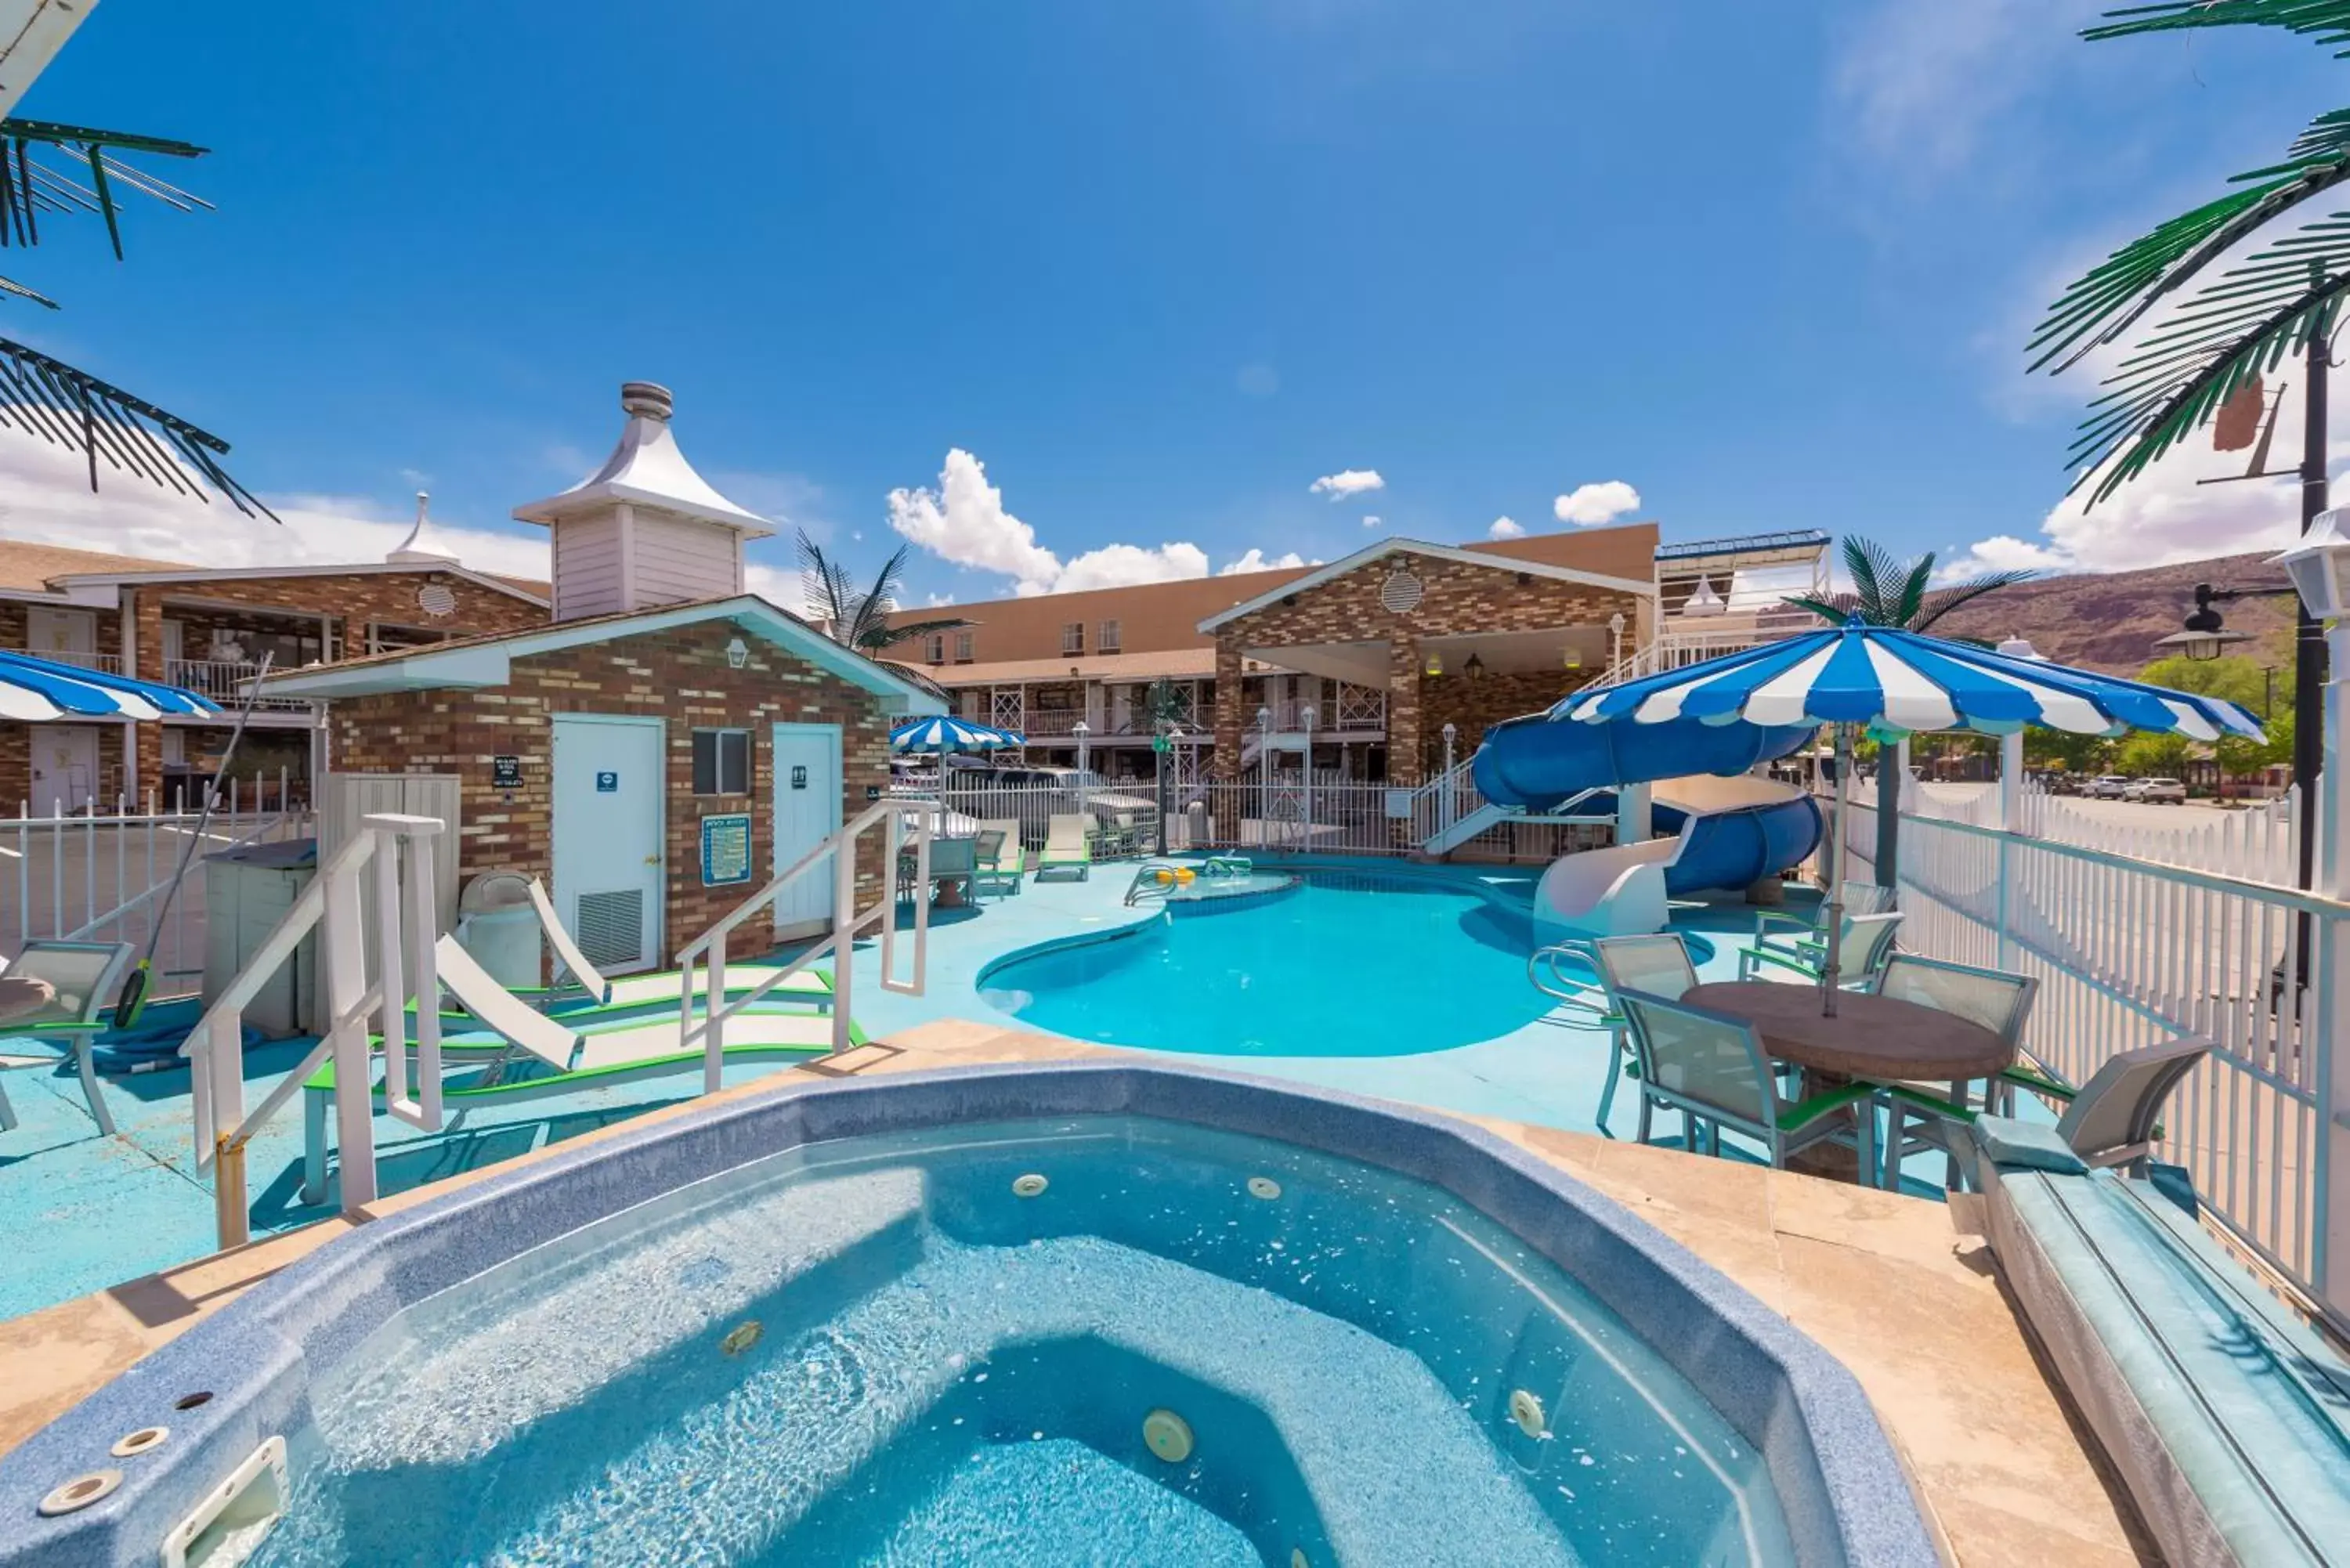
[(2130, 953)]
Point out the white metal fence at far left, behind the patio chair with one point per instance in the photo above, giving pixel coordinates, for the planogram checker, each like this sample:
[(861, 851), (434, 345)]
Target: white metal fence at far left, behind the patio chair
[(100, 873)]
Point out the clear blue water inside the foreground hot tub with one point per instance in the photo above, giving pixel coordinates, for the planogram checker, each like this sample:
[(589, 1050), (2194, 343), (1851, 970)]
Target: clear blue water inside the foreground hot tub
[(882, 1353)]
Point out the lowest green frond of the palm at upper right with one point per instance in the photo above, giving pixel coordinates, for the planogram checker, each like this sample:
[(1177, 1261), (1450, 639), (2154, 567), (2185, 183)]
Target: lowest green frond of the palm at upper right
[(2220, 340)]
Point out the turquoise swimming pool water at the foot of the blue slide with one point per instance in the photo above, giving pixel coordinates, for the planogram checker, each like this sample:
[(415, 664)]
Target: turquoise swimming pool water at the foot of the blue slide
[(1352, 963)]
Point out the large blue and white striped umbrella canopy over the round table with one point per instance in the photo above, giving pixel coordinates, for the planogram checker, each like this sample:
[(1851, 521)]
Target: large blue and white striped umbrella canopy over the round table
[(1909, 683)]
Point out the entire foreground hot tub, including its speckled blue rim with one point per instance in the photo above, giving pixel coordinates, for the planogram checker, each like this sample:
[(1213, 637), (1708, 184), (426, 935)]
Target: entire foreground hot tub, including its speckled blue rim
[(1002, 1318)]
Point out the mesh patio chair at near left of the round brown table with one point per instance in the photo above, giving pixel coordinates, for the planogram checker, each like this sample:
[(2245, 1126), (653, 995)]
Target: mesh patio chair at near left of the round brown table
[(1712, 1068)]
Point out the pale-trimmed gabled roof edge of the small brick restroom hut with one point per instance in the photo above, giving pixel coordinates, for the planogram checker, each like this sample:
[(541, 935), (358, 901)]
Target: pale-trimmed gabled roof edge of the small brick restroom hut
[(488, 662)]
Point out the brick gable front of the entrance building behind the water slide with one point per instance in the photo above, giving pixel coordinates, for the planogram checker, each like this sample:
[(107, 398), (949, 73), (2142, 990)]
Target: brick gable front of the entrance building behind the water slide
[(1456, 598)]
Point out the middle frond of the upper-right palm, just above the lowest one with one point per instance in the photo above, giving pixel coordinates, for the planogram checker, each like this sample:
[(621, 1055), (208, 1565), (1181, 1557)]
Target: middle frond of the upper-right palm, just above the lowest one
[(2121, 290)]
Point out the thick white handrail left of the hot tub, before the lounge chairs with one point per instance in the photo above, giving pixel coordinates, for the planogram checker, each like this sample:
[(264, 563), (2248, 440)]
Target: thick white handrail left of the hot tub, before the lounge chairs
[(405, 932)]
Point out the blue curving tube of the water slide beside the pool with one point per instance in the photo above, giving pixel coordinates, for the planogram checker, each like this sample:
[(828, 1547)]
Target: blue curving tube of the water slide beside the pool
[(1540, 763)]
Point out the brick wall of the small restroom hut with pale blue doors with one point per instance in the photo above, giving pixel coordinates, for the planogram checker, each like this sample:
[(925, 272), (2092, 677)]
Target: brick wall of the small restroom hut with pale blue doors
[(680, 678)]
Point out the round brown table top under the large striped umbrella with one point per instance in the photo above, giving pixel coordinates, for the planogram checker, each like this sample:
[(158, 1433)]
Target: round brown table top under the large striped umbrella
[(1872, 1038)]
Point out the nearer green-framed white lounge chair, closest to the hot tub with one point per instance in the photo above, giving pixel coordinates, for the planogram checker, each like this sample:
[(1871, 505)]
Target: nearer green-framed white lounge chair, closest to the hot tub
[(572, 1052)]
